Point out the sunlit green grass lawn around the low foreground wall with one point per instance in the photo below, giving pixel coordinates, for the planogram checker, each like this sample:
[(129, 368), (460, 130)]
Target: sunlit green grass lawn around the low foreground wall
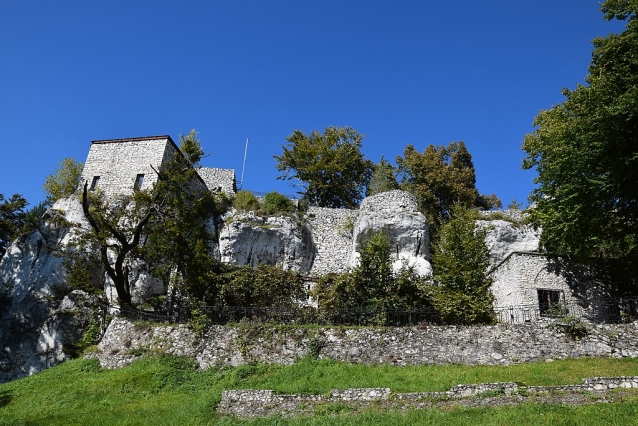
[(172, 391)]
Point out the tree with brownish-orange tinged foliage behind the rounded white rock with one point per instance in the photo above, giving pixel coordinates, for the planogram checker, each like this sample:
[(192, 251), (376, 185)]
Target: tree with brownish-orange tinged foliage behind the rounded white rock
[(441, 177)]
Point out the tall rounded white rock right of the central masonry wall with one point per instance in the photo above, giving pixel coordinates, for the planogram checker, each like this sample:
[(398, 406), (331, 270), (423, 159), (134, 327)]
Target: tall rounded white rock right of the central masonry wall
[(396, 213)]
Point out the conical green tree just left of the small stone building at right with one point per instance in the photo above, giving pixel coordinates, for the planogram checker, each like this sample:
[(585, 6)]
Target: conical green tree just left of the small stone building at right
[(461, 262)]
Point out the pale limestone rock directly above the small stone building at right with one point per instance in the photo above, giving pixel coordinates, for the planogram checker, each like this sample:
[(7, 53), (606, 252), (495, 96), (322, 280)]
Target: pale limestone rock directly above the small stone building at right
[(504, 238)]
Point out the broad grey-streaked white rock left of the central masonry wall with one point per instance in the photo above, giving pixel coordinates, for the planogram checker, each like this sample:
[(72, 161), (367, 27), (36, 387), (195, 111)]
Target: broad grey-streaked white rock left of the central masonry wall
[(247, 239)]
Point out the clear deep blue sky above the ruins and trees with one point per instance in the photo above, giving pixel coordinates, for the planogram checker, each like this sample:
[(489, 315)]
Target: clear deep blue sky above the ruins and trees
[(401, 72)]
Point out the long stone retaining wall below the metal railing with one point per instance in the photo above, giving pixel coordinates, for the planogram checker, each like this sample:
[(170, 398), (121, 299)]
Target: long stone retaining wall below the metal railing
[(475, 345)]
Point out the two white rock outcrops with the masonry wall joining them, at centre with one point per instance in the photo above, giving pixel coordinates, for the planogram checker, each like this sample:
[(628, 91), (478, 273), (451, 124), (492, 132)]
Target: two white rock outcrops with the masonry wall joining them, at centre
[(329, 240)]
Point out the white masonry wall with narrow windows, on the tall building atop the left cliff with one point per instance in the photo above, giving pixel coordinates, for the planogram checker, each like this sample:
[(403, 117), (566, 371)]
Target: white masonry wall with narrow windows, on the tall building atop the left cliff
[(118, 162)]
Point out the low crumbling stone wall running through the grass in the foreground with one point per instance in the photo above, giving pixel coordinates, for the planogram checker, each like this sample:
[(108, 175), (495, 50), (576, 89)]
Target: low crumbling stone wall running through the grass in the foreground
[(247, 403)]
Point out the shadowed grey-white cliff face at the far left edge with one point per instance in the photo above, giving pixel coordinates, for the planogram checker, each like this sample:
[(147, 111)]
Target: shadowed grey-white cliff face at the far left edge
[(40, 320)]
